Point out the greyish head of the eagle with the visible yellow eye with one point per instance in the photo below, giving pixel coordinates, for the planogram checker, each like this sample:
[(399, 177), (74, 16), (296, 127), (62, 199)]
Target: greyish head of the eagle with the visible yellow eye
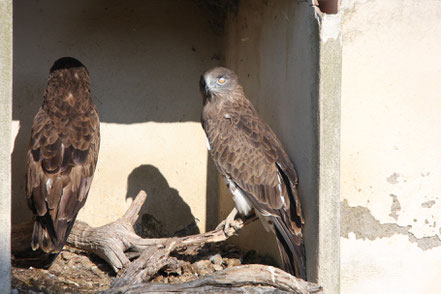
[(218, 81)]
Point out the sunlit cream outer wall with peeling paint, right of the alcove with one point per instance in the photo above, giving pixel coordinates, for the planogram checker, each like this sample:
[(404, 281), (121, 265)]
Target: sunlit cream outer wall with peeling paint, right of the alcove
[(391, 142)]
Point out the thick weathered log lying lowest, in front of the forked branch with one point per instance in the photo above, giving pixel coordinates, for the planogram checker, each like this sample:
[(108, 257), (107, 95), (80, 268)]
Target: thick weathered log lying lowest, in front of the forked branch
[(252, 278)]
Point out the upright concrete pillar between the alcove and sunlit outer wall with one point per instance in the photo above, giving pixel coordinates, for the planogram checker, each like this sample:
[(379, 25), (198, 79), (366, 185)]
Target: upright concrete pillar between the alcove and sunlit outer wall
[(330, 58)]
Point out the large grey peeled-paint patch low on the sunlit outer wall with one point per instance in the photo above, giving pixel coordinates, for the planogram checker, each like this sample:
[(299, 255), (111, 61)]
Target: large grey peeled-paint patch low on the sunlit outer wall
[(364, 225)]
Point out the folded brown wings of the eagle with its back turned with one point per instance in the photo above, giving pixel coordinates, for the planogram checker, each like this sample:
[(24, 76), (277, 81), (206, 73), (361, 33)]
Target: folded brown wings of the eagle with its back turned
[(59, 169)]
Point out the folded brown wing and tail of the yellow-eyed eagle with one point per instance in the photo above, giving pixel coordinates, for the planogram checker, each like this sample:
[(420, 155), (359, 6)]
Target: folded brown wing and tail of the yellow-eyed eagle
[(247, 152)]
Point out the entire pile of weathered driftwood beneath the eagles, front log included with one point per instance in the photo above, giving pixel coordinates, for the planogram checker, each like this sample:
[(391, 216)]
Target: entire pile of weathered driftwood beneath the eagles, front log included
[(117, 242)]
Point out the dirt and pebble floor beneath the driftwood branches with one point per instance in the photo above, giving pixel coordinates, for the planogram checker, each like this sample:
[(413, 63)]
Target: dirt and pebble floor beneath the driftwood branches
[(76, 271)]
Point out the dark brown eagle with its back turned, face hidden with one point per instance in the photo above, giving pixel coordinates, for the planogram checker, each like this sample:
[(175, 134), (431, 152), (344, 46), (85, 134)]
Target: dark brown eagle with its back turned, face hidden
[(62, 154)]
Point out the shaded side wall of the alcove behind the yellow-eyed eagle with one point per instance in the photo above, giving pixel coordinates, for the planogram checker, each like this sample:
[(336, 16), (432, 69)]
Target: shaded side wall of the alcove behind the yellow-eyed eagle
[(273, 47)]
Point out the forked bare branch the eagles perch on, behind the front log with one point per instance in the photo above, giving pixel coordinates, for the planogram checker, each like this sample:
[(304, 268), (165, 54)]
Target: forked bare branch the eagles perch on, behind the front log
[(117, 241)]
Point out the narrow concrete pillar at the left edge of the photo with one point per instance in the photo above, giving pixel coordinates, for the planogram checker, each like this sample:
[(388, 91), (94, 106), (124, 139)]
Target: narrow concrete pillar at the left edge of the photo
[(5, 142)]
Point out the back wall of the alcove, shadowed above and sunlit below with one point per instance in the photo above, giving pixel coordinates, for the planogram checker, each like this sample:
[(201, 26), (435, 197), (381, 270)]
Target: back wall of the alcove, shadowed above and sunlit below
[(145, 59)]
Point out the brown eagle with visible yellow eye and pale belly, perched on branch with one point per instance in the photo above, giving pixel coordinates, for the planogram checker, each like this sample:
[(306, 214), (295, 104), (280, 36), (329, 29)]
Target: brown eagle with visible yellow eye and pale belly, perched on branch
[(253, 163)]
